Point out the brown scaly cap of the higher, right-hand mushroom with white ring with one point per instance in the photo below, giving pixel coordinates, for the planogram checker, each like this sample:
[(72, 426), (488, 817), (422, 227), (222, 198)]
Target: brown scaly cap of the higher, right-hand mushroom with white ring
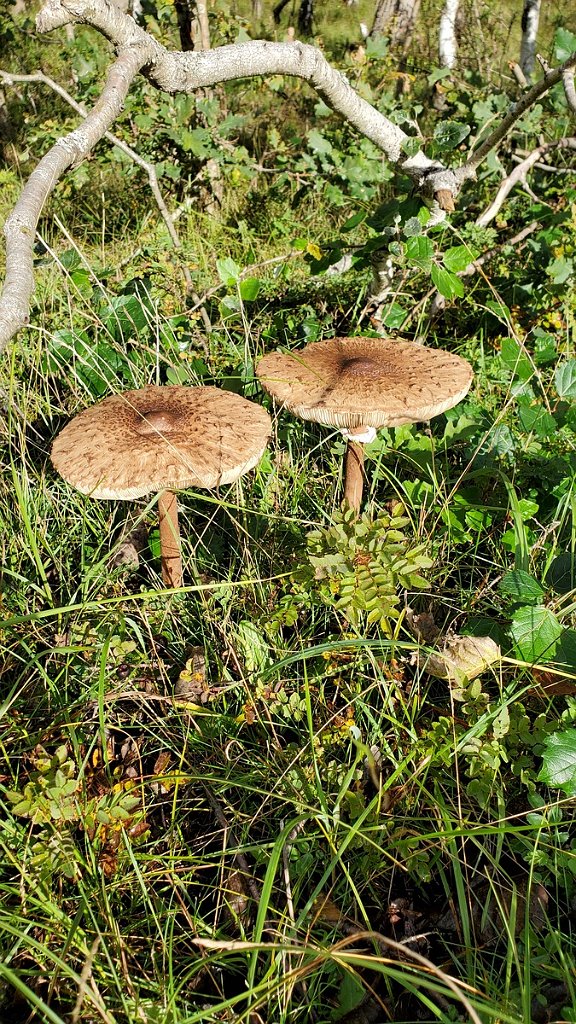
[(366, 382)]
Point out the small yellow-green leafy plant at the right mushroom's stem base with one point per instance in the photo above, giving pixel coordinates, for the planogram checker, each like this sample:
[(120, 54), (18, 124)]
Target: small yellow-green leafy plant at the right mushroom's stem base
[(361, 564)]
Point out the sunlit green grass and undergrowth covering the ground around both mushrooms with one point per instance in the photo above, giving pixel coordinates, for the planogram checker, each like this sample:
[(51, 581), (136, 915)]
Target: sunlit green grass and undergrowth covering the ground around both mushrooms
[(229, 803)]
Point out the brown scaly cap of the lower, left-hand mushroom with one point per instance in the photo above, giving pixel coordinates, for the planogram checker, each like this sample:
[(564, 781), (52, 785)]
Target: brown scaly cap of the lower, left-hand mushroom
[(159, 439)]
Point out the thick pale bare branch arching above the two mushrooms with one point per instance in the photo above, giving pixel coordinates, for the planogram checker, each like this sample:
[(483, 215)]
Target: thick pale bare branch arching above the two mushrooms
[(180, 72)]
